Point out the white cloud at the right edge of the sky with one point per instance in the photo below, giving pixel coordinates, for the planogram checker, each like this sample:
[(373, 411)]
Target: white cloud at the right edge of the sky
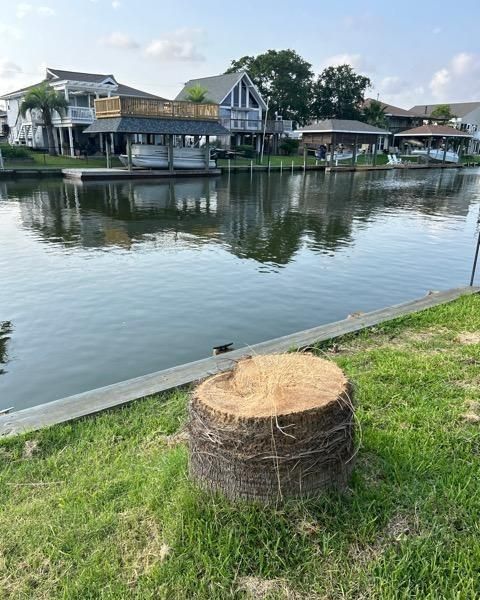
[(459, 80)]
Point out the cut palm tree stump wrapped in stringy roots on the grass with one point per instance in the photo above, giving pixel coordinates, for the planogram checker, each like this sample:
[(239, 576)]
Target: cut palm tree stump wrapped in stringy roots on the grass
[(276, 427)]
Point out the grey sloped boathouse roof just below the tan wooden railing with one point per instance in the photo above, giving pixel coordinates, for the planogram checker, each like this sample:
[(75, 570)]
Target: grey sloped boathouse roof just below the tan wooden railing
[(156, 126)]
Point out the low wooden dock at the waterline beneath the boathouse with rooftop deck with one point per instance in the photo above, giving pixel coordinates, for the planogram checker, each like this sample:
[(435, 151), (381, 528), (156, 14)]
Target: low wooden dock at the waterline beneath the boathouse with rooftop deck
[(122, 173)]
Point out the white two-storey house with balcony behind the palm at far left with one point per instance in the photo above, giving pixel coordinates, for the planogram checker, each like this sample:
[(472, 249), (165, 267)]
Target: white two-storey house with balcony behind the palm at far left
[(80, 90)]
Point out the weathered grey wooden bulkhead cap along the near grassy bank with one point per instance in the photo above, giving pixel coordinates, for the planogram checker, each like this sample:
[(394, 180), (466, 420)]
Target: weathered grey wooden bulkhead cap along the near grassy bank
[(121, 393)]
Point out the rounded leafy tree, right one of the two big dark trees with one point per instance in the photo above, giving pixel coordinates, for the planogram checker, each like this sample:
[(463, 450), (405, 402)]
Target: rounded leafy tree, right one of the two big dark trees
[(339, 93)]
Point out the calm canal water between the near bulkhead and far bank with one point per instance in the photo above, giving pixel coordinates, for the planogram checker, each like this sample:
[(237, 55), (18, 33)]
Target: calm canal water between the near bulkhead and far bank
[(102, 282)]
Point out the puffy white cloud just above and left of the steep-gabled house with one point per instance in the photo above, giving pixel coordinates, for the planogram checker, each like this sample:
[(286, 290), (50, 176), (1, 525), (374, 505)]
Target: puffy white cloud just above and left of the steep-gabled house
[(180, 46)]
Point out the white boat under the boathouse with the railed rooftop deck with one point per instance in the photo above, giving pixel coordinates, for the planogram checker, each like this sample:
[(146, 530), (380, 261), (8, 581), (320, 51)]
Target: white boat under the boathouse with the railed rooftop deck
[(149, 156)]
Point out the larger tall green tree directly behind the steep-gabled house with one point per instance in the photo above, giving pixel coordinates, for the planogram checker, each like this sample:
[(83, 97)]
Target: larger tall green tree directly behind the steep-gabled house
[(284, 77)]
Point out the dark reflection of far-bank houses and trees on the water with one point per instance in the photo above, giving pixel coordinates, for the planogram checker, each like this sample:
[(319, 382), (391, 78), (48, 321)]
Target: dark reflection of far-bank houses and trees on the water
[(265, 218)]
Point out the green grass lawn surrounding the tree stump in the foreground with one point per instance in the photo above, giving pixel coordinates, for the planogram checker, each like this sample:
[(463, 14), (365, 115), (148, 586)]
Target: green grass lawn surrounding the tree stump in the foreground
[(103, 508)]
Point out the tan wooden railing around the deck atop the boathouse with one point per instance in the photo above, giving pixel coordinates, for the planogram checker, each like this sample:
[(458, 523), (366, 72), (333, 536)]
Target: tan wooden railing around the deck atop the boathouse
[(131, 106)]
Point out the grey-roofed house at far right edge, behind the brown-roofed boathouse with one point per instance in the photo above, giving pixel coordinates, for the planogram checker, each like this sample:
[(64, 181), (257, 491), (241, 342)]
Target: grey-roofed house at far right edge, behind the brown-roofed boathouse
[(467, 118)]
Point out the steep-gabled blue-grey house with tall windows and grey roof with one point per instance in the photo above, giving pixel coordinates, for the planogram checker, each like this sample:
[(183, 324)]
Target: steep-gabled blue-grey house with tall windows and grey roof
[(242, 109)]
